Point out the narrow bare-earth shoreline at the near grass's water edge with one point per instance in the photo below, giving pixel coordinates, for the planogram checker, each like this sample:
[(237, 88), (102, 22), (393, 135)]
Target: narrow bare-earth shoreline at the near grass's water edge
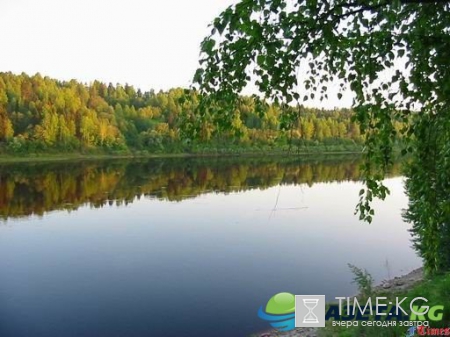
[(396, 284)]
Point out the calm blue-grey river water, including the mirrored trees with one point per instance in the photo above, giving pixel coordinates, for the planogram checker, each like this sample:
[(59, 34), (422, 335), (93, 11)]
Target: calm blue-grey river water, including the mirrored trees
[(183, 247)]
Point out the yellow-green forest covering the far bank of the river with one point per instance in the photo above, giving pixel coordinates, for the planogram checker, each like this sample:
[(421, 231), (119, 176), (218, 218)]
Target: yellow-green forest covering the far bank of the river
[(39, 114)]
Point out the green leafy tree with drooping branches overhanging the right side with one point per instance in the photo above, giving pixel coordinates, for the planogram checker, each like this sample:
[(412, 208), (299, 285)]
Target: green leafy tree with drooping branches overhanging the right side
[(355, 43)]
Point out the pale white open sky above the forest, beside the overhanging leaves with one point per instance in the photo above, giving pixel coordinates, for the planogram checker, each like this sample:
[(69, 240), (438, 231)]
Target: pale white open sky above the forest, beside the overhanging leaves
[(151, 44)]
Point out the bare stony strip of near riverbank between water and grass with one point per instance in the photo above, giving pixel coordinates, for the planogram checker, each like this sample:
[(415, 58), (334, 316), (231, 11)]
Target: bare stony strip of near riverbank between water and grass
[(397, 285)]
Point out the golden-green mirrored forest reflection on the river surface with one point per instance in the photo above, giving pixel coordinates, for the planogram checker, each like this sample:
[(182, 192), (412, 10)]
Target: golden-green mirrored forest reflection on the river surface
[(34, 189)]
